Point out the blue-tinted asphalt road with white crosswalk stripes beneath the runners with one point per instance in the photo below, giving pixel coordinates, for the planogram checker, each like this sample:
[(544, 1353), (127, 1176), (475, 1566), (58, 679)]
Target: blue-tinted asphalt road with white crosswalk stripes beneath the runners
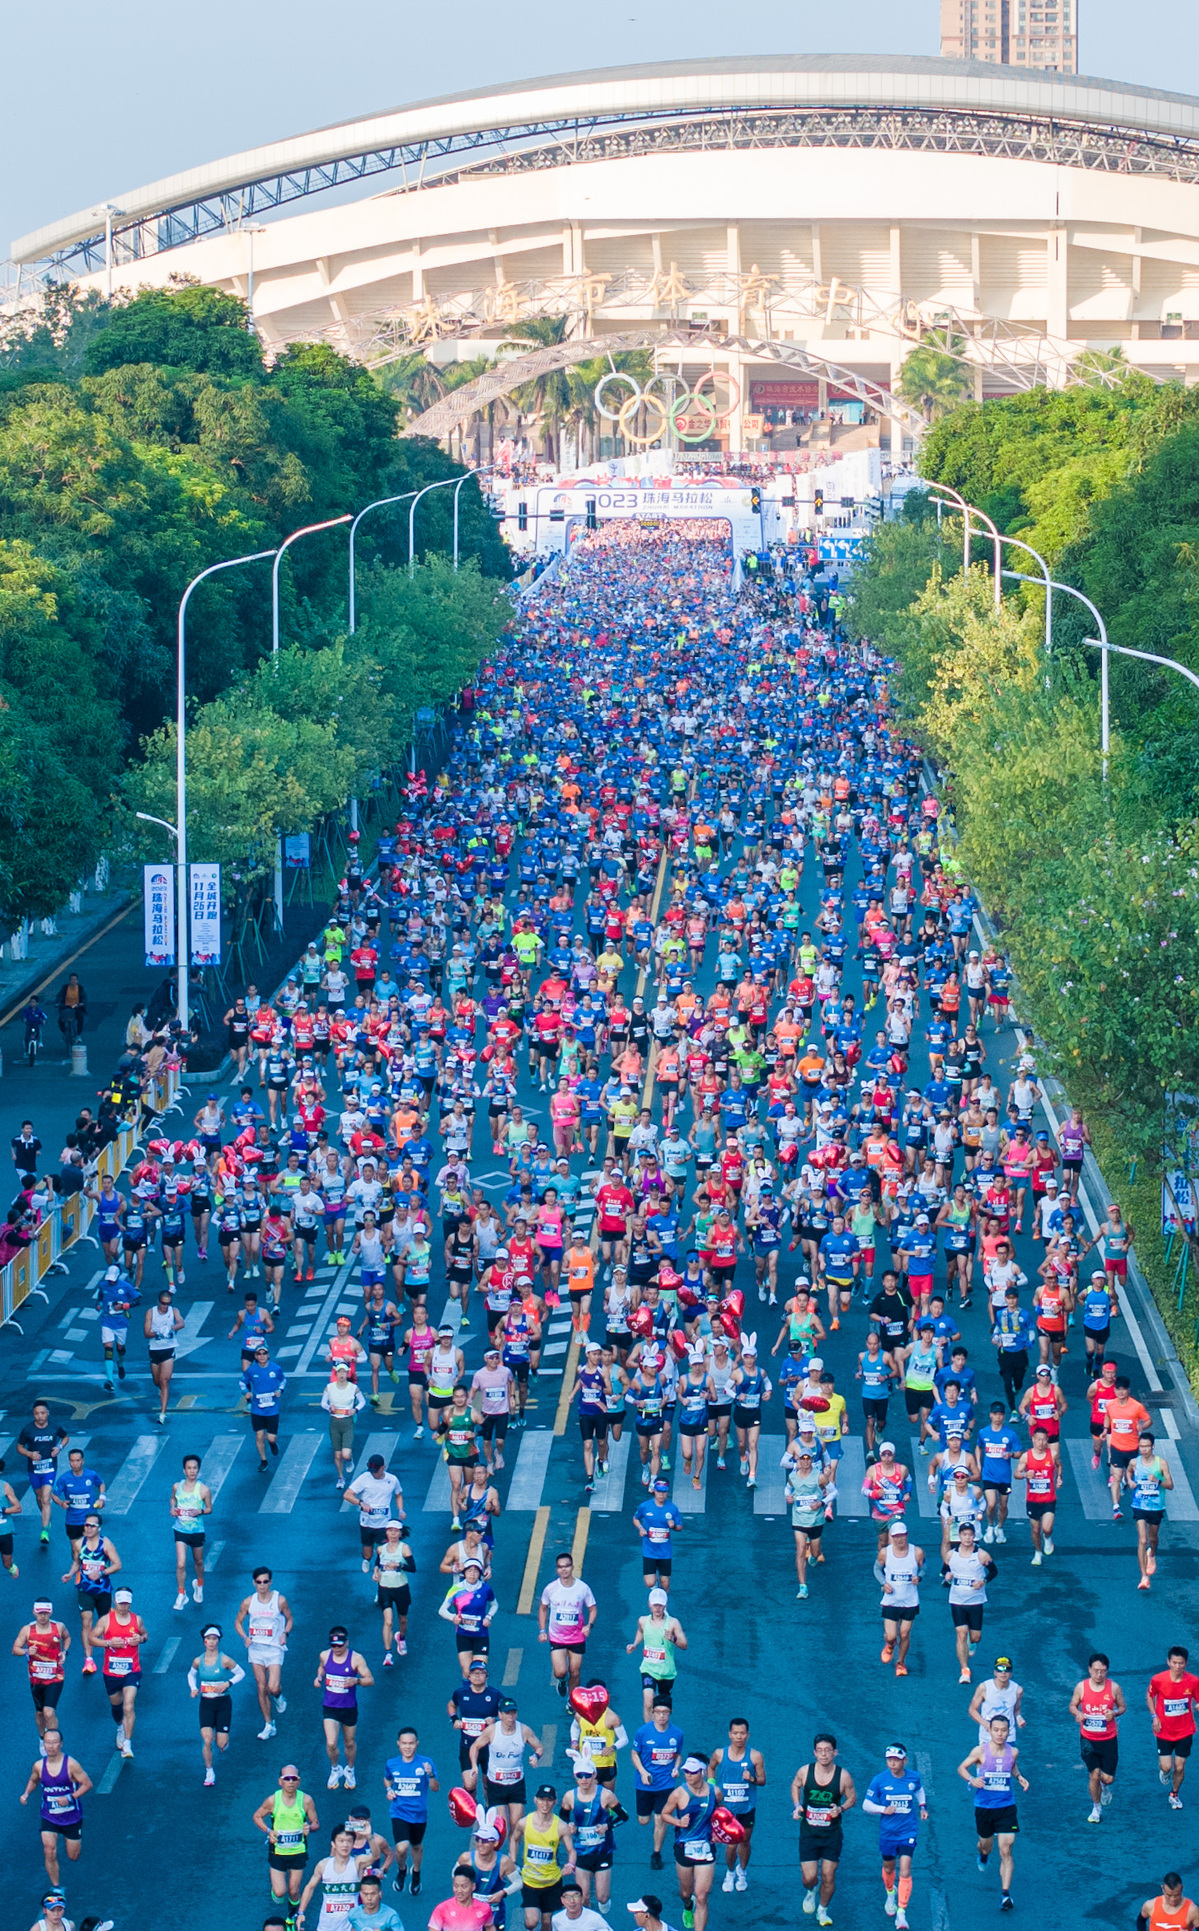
[(159, 1845)]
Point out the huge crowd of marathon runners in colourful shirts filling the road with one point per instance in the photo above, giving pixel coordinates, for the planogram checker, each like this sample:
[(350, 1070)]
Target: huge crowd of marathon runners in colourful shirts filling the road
[(673, 820)]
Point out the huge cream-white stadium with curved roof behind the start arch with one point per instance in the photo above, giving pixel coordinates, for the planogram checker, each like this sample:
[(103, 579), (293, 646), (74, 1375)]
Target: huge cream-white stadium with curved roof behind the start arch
[(795, 225)]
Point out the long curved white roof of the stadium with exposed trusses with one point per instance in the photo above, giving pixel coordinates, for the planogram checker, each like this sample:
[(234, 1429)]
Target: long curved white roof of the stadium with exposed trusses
[(530, 111)]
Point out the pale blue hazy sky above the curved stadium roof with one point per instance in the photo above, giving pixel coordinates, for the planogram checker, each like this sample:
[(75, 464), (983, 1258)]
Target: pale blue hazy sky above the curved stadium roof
[(107, 98)]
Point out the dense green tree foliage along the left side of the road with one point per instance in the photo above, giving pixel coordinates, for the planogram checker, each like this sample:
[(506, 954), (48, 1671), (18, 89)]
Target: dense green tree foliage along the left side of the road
[(140, 443)]
